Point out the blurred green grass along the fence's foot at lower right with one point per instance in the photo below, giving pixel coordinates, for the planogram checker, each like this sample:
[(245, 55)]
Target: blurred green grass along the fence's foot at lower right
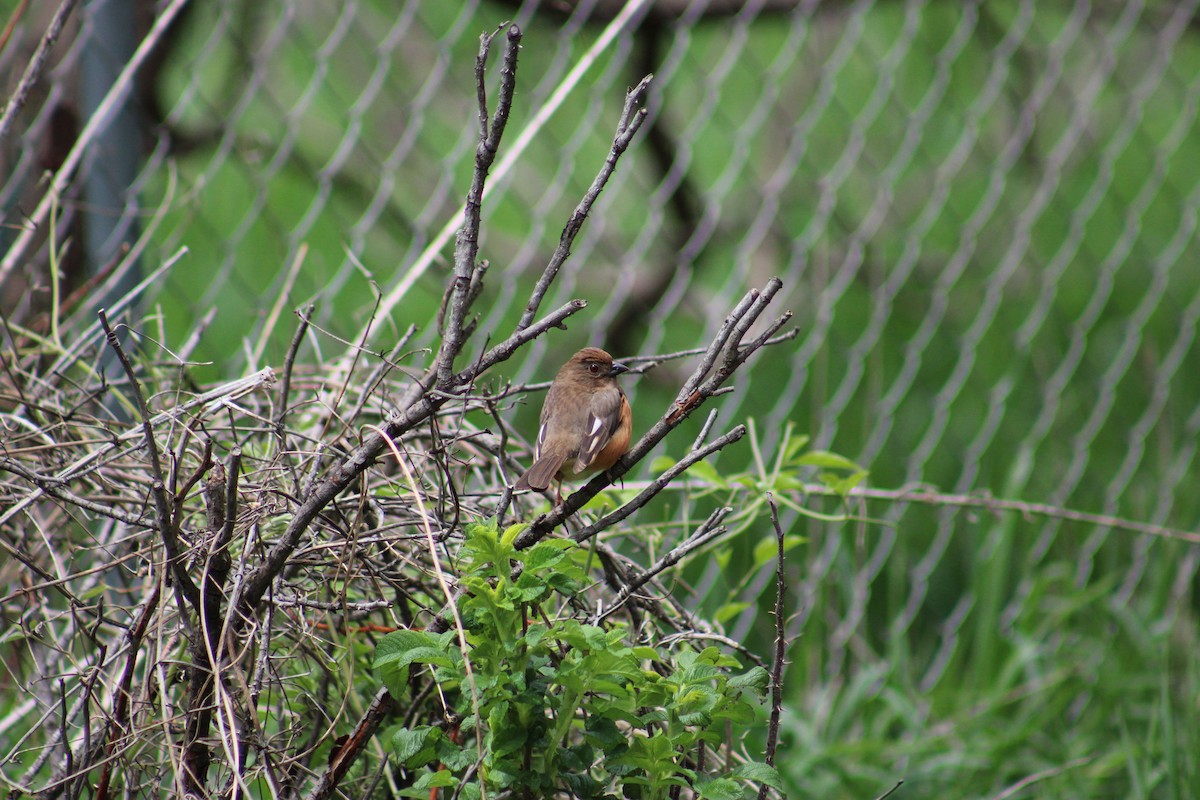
[(1082, 695)]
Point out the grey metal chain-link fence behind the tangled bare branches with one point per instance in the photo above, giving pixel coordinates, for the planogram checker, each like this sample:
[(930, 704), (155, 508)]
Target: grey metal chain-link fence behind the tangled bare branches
[(985, 215)]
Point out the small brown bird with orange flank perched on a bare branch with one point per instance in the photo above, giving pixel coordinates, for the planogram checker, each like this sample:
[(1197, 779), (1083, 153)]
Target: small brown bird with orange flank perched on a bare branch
[(586, 422)]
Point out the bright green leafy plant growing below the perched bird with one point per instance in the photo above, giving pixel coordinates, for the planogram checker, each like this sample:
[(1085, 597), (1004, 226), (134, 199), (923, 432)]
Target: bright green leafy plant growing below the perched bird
[(544, 706)]
